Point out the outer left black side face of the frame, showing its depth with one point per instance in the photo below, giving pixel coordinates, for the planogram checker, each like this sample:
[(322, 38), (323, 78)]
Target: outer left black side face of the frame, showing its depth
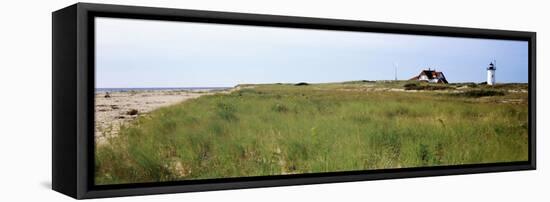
[(64, 101)]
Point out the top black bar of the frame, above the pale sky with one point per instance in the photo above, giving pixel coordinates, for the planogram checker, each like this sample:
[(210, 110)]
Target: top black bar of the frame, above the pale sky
[(173, 14)]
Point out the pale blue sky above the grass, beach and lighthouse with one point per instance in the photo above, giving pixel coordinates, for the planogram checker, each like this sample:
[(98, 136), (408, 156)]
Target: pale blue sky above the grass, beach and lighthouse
[(148, 53)]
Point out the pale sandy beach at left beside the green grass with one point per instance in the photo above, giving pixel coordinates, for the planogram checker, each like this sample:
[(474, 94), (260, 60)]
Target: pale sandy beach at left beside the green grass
[(114, 109)]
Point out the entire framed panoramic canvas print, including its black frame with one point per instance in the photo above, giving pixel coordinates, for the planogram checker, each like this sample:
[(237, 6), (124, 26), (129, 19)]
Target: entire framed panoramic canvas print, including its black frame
[(157, 100)]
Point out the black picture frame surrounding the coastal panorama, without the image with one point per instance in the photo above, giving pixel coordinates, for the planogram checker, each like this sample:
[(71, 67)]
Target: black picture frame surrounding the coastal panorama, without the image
[(73, 99)]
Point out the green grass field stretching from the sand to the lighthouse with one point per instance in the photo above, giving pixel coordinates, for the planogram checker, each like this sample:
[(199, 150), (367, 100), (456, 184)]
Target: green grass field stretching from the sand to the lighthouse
[(286, 129)]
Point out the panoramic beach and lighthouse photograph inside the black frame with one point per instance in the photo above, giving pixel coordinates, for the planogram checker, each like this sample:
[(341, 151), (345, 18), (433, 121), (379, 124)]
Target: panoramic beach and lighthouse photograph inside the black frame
[(178, 101)]
